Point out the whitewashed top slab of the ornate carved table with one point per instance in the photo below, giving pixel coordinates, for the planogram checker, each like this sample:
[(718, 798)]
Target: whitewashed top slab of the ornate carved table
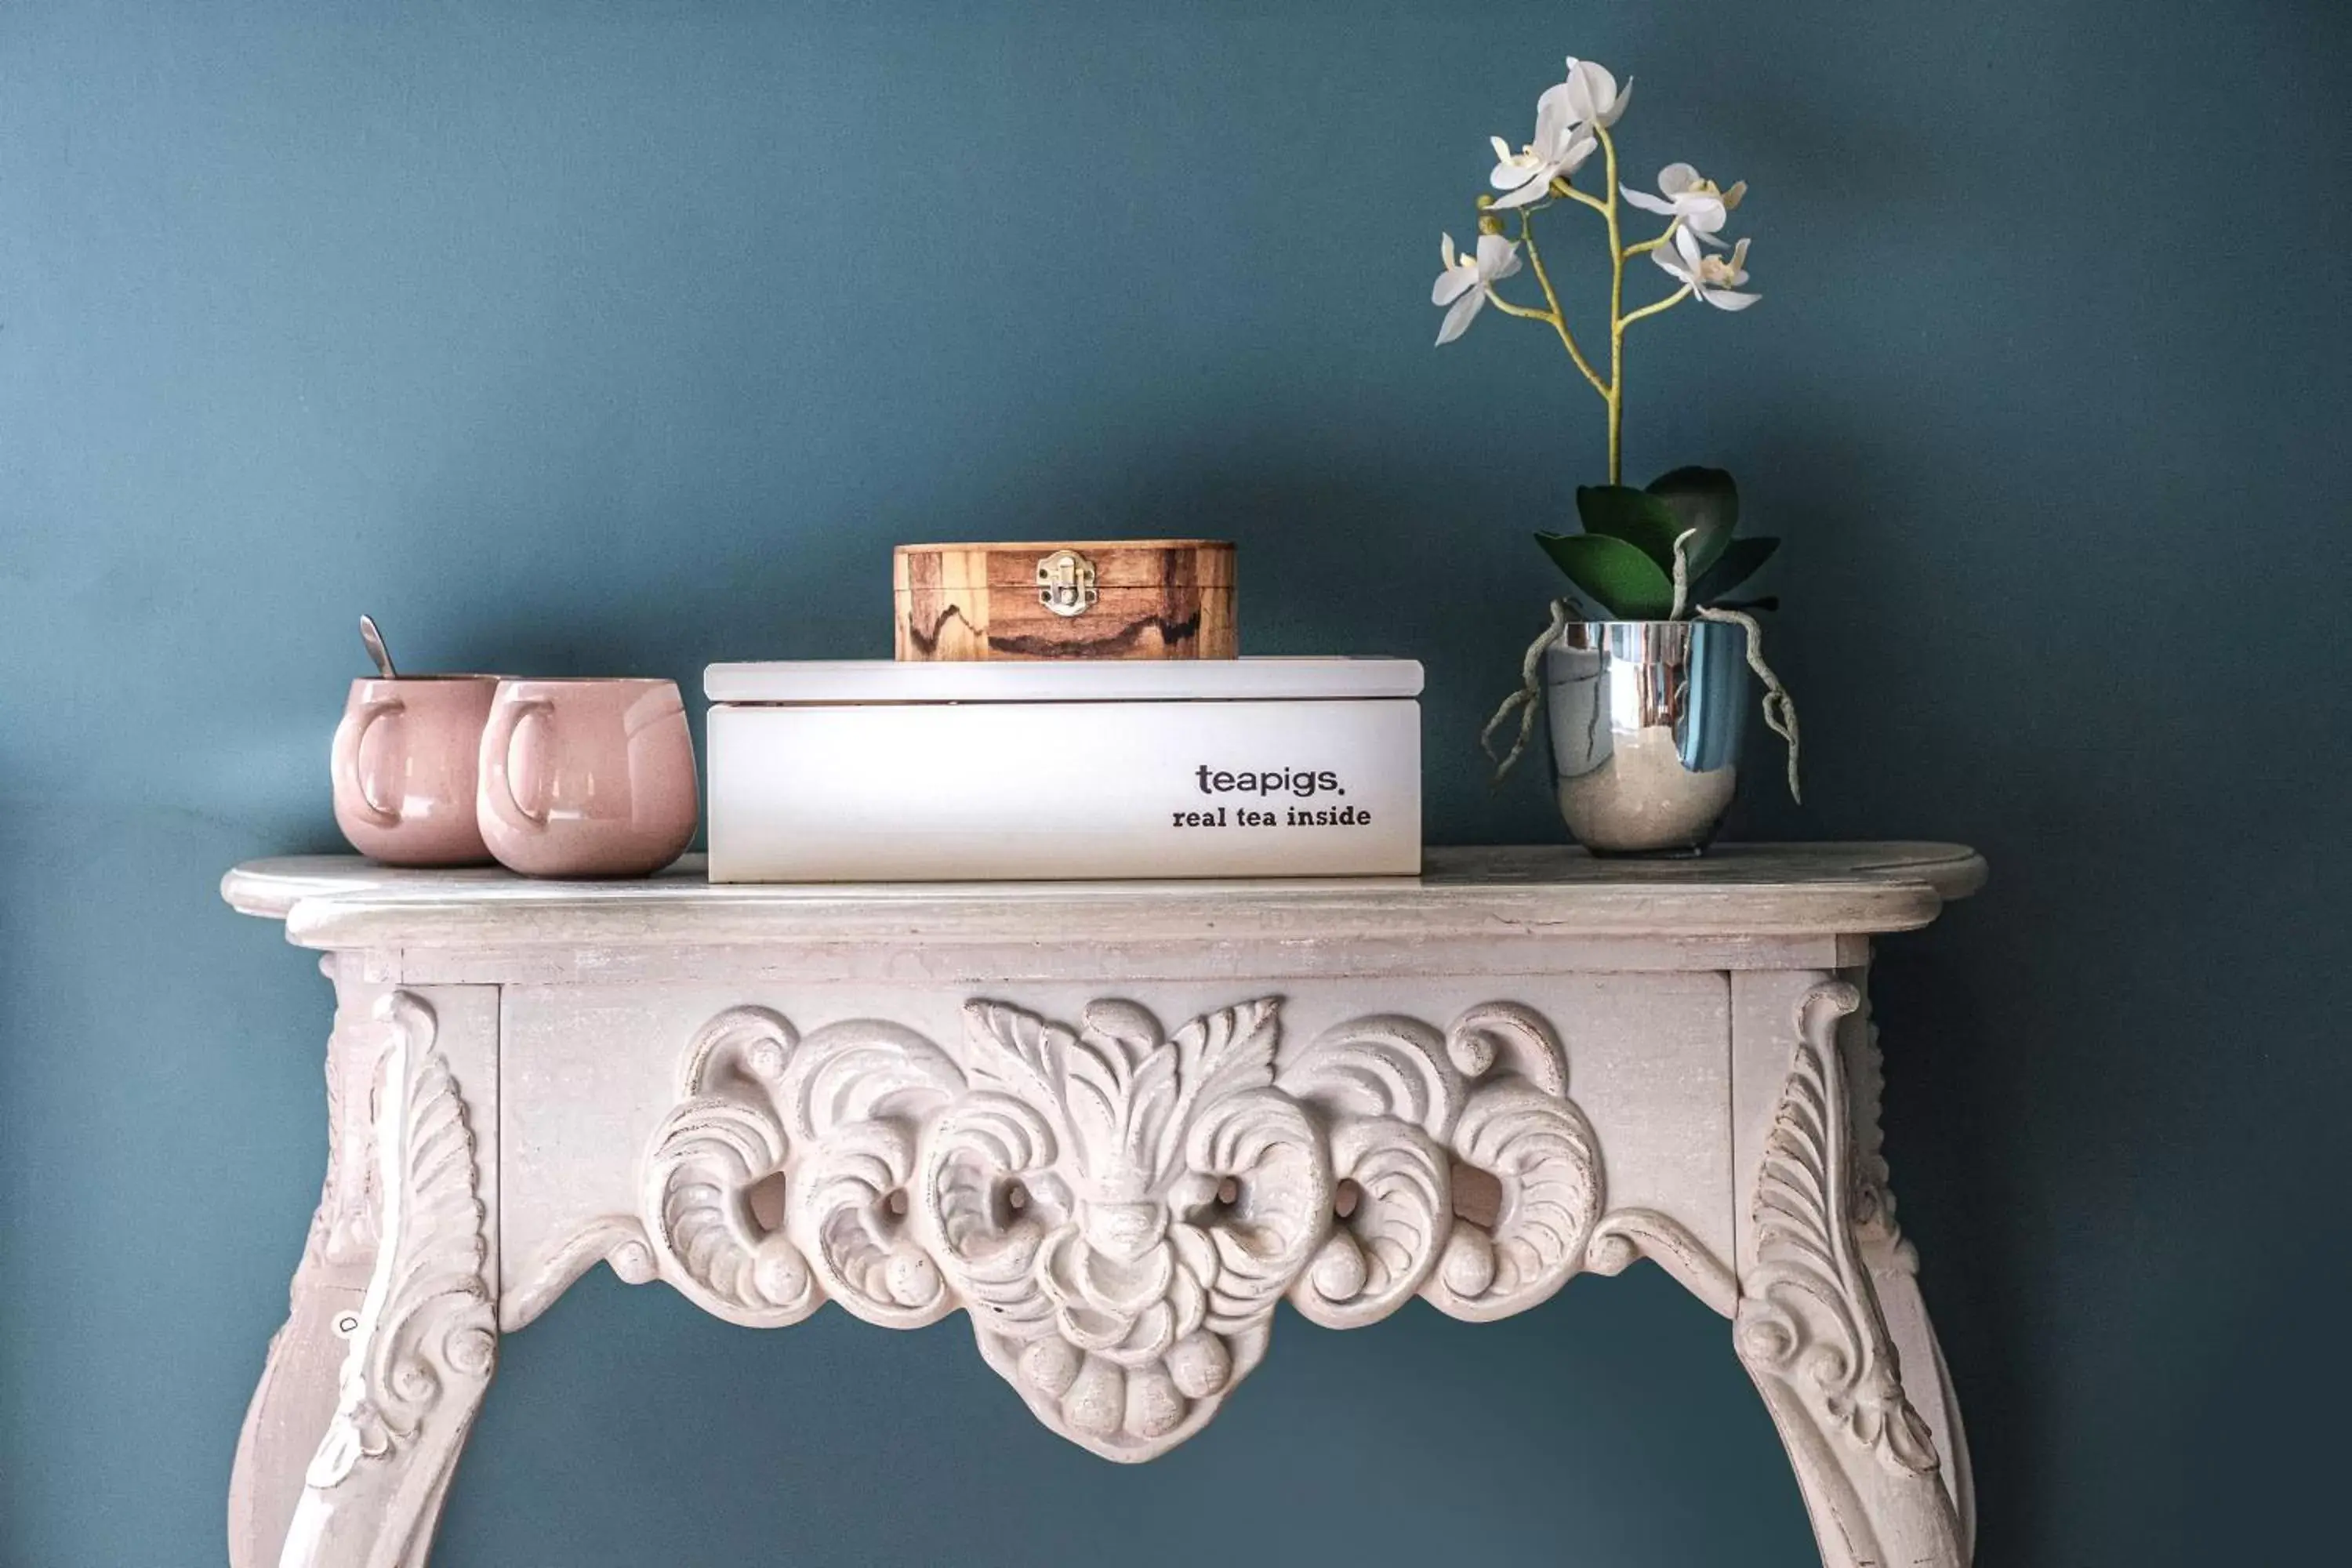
[(1737, 890)]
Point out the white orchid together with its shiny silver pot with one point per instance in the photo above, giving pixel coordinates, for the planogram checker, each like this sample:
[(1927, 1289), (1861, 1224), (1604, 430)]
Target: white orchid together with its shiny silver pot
[(1641, 669)]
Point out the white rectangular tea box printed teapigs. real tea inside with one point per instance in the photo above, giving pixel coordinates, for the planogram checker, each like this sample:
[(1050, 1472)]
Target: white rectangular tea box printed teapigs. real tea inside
[(886, 772)]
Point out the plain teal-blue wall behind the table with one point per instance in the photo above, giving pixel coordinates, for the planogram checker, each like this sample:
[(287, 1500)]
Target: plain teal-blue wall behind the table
[(629, 337)]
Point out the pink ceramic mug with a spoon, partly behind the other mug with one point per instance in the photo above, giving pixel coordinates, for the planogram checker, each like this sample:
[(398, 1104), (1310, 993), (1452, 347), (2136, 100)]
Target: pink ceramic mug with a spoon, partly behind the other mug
[(406, 768)]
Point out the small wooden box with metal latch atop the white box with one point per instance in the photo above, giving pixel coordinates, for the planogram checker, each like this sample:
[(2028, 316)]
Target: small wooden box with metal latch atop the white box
[(1130, 598)]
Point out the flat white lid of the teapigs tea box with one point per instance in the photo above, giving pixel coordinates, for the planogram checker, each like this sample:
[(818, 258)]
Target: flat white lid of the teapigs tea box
[(1062, 681)]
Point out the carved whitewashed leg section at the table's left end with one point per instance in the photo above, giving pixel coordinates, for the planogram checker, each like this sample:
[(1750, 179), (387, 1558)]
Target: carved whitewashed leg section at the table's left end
[(380, 1369)]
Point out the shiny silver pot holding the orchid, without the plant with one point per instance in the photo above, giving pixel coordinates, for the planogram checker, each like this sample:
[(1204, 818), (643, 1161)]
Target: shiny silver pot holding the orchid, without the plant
[(1648, 723)]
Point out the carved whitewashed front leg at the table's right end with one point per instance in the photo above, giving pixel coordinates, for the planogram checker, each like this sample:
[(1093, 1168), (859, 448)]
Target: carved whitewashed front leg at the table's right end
[(1812, 1329)]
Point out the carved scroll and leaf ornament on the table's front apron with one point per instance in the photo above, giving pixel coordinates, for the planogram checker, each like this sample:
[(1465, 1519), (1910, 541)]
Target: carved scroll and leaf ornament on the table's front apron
[(1116, 1205)]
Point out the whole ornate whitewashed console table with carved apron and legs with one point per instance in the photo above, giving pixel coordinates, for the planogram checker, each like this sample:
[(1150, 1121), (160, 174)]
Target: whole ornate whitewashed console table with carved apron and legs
[(1111, 1123)]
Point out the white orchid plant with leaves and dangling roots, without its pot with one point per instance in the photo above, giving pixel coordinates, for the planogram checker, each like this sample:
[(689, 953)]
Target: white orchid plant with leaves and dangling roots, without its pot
[(1666, 551)]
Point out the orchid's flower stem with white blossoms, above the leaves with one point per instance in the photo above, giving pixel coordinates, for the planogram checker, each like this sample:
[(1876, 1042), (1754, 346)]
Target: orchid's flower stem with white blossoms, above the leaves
[(1572, 123)]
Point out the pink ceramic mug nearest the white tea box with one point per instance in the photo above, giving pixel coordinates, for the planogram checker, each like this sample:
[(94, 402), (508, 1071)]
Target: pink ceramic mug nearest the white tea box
[(587, 777)]
